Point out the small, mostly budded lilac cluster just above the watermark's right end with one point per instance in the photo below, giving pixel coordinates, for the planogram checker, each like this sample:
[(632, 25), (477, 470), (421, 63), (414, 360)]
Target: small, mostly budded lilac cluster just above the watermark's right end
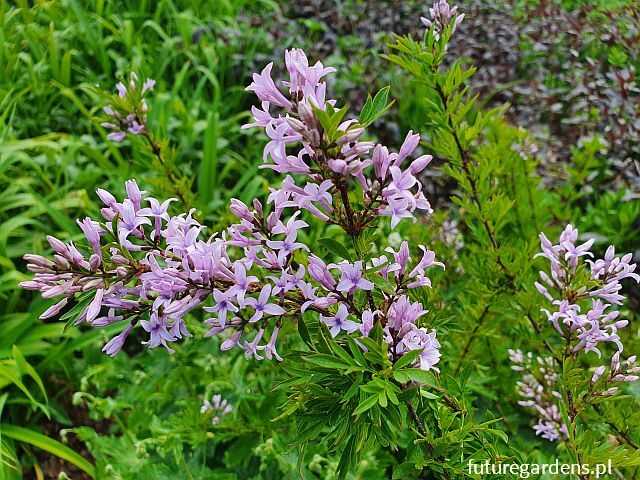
[(538, 390)]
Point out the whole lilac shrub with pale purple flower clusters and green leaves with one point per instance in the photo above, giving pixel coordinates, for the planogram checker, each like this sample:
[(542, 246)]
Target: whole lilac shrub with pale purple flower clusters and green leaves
[(146, 268)]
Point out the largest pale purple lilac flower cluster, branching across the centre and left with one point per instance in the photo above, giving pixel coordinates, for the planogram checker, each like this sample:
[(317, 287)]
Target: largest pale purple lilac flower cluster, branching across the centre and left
[(144, 267)]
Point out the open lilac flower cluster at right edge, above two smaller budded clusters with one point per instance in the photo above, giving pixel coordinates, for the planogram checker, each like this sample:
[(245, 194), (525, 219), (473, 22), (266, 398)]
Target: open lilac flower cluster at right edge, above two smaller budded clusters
[(583, 296)]
